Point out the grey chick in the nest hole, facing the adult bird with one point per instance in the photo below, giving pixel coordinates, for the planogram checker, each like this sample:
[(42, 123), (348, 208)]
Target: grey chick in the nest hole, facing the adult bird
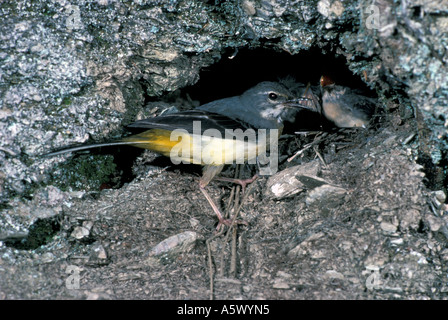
[(344, 106)]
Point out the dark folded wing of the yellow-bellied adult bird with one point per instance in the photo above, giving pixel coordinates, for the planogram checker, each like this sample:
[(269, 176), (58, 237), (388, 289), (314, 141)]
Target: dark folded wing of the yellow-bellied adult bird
[(187, 120)]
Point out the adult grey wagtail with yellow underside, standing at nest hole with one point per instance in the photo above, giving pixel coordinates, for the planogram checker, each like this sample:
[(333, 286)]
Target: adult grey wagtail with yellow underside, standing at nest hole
[(212, 135)]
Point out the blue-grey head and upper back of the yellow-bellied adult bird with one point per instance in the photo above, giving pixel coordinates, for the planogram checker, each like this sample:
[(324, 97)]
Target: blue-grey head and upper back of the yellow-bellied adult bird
[(266, 105)]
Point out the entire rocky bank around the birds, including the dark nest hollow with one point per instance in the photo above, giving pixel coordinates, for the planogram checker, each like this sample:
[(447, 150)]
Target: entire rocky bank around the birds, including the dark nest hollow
[(368, 221)]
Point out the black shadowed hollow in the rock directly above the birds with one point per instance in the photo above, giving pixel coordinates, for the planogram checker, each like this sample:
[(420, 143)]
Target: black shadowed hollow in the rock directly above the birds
[(230, 77)]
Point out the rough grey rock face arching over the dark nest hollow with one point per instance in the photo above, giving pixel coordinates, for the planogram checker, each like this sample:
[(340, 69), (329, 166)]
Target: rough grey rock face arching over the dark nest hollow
[(67, 75)]
